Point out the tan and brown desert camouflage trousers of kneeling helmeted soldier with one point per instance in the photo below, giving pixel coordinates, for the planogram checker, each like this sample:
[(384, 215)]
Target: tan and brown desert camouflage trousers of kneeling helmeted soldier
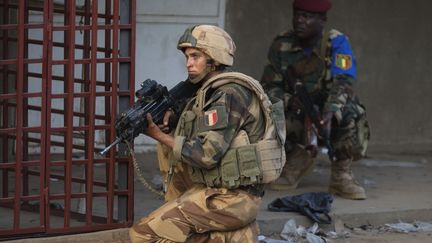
[(202, 214)]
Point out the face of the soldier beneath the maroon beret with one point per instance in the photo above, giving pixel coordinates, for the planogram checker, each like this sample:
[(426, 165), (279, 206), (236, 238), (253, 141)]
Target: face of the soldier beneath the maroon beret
[(307, 25)]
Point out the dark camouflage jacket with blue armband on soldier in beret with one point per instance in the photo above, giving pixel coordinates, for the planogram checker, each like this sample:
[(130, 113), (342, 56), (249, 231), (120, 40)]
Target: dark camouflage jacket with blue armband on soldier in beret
[(328, 70)]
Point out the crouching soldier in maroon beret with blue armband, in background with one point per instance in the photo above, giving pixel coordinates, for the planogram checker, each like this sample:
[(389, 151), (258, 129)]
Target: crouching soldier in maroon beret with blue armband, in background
[(321, 64)]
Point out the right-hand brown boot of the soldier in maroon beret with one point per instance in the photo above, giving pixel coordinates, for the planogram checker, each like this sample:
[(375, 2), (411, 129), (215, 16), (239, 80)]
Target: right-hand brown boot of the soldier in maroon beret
[(342, 182)]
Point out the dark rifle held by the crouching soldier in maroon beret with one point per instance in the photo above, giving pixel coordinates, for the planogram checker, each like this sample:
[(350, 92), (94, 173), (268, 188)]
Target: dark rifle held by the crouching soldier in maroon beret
[(301, 93)]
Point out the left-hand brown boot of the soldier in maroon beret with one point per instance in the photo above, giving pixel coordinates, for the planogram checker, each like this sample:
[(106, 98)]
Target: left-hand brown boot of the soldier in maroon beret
[(299, 163)]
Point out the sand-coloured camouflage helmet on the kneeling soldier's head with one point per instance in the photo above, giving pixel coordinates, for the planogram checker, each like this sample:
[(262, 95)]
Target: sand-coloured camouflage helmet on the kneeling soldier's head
[(210, 39)]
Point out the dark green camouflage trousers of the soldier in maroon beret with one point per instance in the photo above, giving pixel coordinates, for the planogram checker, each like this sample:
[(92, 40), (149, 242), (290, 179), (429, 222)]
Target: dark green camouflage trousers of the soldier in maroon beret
[(349, 133)]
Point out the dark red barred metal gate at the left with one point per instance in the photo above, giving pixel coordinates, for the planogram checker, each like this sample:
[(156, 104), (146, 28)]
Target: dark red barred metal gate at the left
[(66, 68)]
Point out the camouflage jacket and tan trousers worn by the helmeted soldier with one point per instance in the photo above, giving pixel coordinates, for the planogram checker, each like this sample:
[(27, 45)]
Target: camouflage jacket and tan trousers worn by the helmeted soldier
[(205, 213)]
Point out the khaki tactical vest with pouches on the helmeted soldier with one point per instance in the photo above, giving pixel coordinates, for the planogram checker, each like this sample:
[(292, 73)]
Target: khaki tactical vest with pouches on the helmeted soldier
[(244, 163)]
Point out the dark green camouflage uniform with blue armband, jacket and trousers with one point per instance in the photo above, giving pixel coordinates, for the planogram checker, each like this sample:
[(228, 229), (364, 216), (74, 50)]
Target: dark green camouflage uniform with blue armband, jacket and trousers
[(328, 72)]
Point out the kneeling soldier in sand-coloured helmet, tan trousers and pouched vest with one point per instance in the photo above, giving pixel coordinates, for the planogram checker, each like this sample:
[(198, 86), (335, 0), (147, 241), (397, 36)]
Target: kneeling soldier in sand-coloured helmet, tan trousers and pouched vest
[(226, 139)]
